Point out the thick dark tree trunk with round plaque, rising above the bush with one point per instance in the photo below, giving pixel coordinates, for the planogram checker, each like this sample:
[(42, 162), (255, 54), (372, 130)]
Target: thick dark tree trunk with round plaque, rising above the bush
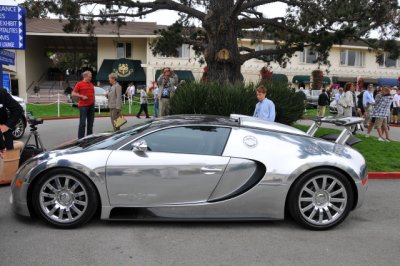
[(222, 54)]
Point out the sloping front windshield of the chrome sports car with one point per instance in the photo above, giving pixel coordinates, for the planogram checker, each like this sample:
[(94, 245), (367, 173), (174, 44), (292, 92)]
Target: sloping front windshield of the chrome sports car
[(119, 136)]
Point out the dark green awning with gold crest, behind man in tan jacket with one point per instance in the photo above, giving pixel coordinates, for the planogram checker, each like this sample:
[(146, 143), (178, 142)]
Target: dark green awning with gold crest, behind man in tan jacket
[(126, 69)]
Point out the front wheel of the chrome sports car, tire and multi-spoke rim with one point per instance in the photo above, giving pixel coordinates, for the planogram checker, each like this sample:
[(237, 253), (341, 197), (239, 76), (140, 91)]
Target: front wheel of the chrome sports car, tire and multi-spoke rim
[(64, 198)]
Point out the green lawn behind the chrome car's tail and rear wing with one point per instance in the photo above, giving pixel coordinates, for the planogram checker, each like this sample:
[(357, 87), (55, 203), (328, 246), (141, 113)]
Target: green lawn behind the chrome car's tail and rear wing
[(380, 156)]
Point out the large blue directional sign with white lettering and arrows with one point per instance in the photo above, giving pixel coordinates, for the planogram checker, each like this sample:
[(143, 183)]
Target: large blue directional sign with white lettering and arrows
[(12, 27)]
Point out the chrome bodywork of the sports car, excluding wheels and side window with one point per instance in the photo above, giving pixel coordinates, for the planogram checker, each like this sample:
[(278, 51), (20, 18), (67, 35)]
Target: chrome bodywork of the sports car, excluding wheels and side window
[(188, 186)]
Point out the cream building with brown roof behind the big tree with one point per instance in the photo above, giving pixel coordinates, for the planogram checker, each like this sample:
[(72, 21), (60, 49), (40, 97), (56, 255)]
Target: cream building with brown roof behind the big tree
[(130, 48)]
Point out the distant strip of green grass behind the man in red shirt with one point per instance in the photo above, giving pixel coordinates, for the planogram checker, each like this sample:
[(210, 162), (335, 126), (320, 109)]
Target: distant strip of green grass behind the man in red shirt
[(66, 110)]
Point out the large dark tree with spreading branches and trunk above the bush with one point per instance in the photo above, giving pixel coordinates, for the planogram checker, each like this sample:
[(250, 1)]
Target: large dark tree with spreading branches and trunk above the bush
[(212, 27)]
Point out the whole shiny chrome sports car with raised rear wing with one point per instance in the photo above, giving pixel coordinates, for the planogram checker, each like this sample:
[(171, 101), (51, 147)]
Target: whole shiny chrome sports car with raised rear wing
[(195, 168)]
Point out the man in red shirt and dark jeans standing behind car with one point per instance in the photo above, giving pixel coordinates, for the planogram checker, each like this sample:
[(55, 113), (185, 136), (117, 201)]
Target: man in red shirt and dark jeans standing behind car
[(84, 90)]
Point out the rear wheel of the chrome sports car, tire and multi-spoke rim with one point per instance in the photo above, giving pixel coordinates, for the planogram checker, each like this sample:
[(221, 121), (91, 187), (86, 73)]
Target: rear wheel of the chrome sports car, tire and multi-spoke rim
[(331, 201)]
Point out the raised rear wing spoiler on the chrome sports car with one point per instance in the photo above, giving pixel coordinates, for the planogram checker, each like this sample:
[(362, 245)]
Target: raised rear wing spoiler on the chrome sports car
[(347, 122)]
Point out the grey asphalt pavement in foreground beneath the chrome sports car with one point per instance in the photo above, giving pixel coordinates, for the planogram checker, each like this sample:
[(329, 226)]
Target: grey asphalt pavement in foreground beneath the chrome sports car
[(369, 236)]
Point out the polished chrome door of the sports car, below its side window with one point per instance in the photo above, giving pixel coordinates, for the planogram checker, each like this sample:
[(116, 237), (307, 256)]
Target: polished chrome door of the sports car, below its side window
[(156, 178)]
